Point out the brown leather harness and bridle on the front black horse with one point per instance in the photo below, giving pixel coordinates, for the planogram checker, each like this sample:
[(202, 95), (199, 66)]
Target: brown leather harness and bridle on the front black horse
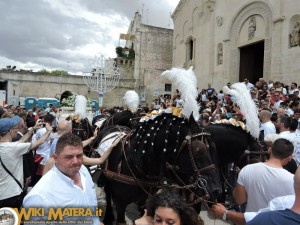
[(200, 182)]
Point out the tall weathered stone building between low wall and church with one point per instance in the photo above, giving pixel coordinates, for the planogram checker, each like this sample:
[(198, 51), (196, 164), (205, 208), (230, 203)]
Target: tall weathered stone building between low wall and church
[(153, 55)]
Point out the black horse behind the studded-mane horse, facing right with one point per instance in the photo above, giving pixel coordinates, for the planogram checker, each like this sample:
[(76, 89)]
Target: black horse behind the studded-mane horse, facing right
[(235, 148)]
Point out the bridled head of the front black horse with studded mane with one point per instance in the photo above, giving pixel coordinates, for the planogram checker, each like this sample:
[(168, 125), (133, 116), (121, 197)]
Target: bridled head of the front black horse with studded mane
[(200, 152)]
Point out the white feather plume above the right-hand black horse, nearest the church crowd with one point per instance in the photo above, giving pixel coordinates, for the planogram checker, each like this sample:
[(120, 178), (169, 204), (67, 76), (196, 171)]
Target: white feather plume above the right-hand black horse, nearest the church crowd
[(241, 96)]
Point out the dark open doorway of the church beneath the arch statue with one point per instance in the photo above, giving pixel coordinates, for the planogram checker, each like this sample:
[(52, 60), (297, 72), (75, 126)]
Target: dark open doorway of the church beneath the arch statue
[(252, 62)]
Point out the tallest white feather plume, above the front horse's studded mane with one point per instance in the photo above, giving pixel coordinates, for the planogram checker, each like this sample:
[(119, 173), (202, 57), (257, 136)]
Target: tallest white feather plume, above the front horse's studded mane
[(186, 82)]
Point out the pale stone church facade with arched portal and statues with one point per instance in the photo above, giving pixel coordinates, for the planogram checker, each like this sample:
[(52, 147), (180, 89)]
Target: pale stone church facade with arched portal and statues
[(229, 40)]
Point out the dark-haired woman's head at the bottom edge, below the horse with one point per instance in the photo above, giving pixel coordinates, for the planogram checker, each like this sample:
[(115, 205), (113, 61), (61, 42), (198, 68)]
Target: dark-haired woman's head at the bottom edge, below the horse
[(168, 207)]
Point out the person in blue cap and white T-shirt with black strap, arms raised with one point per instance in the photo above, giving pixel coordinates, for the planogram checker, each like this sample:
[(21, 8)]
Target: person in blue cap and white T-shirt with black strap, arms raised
[(11, 155)]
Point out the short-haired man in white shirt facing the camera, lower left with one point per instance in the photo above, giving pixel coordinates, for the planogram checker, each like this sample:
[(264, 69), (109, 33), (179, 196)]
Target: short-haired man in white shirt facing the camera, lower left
[(67, 185)]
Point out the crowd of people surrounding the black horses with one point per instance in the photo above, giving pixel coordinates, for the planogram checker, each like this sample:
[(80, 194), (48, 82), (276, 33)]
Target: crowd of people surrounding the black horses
[(51, 155)]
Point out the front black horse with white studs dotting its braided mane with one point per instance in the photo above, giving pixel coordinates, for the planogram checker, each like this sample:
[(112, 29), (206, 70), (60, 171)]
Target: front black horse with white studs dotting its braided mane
[(165, 152)]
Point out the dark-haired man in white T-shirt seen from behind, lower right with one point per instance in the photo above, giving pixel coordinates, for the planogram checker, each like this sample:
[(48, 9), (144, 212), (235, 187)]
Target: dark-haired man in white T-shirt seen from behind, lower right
[(255, 188)]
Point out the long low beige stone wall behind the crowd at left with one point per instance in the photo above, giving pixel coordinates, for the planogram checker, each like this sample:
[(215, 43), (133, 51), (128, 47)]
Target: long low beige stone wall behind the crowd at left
[(21, 85)]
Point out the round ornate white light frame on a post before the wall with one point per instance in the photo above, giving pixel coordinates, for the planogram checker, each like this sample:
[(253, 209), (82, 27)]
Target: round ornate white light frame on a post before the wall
[(103, 77)]
